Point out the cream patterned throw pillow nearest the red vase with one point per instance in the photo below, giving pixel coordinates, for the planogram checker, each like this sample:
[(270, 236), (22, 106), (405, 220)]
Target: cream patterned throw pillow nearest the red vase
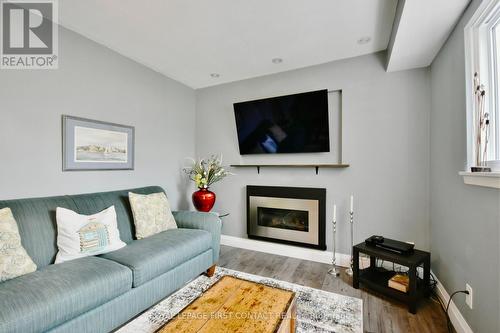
[(152, 214)]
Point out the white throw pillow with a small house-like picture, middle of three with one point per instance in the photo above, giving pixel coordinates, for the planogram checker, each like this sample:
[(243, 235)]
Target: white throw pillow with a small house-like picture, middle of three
[(86, 235)]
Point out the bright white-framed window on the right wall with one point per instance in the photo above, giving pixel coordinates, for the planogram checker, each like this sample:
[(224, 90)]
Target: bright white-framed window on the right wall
[(482, 43)]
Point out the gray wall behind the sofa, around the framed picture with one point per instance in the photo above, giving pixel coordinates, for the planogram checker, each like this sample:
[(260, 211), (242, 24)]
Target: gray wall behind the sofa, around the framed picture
[(93, 82)]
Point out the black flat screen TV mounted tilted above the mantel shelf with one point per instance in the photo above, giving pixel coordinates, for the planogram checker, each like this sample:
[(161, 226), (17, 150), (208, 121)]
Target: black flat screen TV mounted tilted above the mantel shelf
[(286, 124)]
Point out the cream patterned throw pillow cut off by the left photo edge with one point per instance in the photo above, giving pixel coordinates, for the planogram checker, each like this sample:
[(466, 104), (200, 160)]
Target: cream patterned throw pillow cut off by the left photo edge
[(14, 260)]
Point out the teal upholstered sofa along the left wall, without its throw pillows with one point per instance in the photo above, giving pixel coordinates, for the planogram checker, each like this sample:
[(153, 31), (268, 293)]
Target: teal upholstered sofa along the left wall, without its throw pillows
[(100, 293)]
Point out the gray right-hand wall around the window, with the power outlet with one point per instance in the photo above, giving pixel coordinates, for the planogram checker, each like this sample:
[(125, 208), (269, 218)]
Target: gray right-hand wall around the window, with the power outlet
[(465, 219)]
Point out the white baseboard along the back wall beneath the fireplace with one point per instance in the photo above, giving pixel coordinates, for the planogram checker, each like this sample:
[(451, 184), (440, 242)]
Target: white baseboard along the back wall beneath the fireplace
[(324, 257)]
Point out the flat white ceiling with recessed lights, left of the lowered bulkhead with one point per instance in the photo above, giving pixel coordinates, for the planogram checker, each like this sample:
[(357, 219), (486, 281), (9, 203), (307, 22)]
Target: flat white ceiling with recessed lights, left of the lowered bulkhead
[(188, 40)]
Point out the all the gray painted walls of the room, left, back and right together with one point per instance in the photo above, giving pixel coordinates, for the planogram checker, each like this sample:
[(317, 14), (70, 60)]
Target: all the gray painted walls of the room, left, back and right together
[(387, 123)]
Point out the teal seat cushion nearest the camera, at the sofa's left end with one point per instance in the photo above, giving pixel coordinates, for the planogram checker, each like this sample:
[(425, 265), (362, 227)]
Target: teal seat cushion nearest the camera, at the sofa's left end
[(46, 298)]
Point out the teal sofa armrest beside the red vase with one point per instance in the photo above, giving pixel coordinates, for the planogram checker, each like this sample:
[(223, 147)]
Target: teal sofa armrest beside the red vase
[(204, 221)]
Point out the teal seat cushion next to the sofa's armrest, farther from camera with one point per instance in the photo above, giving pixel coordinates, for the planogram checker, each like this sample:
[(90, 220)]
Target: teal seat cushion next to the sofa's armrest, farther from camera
[(157, 254)]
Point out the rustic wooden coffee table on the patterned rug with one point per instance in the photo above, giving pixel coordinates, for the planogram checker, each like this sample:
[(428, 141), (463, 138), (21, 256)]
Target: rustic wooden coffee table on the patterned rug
[(233, 304)]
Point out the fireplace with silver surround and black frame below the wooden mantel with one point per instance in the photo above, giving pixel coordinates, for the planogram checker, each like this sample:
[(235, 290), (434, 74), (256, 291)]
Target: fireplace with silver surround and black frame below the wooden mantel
[(290, 215)]
